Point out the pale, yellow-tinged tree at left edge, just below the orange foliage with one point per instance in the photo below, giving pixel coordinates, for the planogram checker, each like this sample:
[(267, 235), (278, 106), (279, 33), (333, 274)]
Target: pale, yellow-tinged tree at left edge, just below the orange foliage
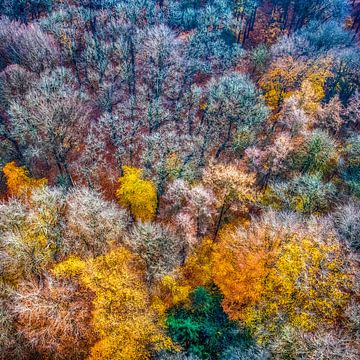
[(31, 234)]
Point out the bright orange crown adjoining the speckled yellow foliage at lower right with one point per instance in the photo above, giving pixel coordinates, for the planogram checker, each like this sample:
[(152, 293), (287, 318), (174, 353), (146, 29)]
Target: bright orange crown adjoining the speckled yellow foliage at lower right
[(241, 261)]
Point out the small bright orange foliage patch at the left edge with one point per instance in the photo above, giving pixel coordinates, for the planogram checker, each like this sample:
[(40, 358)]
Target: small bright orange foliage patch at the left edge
[(18, 181)]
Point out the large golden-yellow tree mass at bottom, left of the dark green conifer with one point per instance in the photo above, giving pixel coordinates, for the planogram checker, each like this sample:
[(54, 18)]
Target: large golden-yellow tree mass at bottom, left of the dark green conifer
[(126, 325)]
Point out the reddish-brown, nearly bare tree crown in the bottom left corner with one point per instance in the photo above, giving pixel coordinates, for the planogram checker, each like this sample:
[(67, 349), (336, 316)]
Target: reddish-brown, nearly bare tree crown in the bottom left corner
[(54, 317)]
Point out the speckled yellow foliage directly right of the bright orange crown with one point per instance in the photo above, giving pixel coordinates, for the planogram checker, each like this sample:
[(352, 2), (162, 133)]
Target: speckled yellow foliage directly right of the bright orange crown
[(307, 283)]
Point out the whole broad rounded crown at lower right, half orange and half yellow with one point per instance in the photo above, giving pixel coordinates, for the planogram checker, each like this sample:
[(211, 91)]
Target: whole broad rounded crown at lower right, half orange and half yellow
[(274, 275)]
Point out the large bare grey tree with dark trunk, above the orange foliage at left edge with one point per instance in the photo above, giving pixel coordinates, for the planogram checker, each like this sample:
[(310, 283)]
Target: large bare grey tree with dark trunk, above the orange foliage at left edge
[(45, 120)]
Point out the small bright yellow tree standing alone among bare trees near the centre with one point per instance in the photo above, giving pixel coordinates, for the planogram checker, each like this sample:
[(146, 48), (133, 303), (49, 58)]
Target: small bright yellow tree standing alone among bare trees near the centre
[(137, 194)]
